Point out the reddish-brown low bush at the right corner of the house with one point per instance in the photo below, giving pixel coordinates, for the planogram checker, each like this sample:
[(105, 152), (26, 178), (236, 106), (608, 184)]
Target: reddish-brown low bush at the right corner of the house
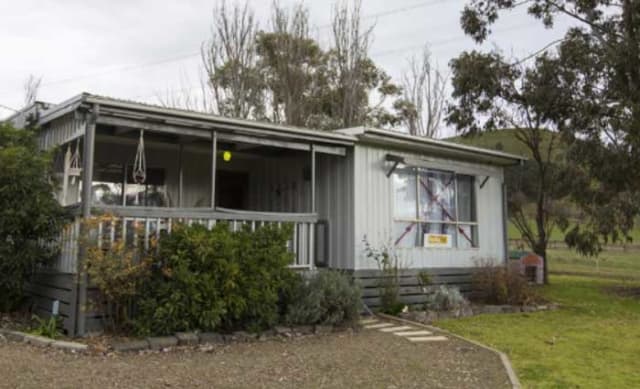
[(501, 285)]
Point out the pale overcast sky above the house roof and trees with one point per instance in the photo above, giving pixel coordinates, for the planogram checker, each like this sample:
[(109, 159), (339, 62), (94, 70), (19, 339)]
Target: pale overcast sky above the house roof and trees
[(145, 50)]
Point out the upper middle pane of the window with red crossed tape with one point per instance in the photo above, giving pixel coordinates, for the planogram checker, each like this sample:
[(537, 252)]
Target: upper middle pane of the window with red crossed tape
[(437, 196)]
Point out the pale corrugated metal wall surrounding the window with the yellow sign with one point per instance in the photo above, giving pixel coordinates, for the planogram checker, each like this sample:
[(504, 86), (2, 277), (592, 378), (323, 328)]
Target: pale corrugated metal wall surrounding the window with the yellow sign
[(374, 212)]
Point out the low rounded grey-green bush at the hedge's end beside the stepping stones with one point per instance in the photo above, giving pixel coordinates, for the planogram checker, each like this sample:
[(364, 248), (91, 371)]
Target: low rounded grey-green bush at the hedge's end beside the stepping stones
[(327, 297)]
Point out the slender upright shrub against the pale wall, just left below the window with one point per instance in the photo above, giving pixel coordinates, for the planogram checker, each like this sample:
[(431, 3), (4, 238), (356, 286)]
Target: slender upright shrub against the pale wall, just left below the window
[(389, 284)]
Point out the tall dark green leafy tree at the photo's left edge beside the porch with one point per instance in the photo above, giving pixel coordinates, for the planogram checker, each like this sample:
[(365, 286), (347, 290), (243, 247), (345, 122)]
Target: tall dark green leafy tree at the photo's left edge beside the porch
[(30, 217)]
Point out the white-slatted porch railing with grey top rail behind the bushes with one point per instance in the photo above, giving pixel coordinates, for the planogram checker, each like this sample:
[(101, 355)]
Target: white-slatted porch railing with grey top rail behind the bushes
[(142, 224)]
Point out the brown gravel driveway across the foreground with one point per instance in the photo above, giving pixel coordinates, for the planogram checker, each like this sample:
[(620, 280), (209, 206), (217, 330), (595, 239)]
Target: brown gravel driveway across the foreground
[(365, 359)]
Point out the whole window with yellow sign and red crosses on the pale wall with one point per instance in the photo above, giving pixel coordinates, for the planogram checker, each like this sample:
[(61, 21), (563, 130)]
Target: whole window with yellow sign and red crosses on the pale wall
[(434, 208)]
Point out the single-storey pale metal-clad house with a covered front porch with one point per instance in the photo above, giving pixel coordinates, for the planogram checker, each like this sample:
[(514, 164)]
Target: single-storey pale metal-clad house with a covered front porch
[(438, 205)]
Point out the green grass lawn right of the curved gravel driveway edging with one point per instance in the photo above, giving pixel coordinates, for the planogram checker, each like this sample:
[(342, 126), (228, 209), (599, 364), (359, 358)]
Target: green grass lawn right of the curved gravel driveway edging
[(593, 341)]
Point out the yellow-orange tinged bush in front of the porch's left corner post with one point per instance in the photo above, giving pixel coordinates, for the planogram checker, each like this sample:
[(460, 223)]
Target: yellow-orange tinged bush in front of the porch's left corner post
[(118, 272)]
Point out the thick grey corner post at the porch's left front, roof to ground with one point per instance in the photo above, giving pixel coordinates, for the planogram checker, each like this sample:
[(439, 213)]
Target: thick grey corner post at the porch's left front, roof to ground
[(87, 179)]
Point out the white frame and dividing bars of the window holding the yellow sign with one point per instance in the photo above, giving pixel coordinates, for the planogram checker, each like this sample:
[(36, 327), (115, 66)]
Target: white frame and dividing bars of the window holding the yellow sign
[(417, 221)]
